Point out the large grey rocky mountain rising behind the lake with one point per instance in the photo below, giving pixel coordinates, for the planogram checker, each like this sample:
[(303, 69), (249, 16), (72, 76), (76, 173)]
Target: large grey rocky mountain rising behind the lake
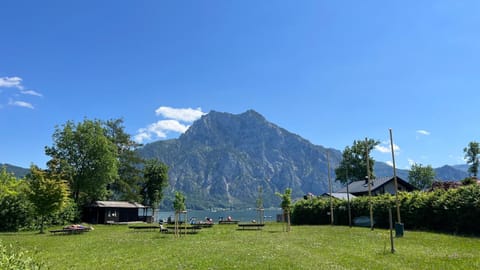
[(223, 159)]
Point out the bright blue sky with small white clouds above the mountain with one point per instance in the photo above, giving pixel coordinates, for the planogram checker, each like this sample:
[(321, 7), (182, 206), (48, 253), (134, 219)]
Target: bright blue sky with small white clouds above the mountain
[(330, 71)]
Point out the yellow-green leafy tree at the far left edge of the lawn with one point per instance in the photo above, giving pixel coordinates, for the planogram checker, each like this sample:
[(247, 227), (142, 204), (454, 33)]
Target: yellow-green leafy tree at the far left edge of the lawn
[(14, 207)]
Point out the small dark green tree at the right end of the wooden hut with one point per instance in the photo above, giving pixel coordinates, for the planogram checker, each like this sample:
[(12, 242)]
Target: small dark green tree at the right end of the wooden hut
[(156, 179)]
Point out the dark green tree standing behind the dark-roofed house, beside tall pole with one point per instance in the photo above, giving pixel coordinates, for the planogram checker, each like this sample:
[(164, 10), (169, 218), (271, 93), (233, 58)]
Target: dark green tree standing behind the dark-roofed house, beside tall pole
[(354, 161)]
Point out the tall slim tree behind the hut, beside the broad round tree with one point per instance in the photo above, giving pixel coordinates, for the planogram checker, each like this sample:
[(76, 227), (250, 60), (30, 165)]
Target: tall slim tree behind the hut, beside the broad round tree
[(127, 185)]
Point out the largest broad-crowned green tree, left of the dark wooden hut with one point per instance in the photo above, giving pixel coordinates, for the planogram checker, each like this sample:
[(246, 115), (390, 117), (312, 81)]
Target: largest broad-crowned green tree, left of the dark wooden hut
[(84, 156)]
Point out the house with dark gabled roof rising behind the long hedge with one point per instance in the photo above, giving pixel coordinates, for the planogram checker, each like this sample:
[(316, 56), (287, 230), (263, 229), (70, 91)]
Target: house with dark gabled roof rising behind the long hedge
[(378, 186)]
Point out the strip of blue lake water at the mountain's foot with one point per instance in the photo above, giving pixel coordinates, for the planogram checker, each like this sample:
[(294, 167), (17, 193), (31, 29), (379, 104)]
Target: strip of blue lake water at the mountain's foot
[(241, 215)]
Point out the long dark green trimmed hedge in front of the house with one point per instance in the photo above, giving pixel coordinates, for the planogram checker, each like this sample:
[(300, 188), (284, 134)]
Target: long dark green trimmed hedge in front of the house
[(453, 210)]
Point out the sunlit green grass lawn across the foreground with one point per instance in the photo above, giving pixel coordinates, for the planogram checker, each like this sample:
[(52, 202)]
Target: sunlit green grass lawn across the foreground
[(226, 247)]
